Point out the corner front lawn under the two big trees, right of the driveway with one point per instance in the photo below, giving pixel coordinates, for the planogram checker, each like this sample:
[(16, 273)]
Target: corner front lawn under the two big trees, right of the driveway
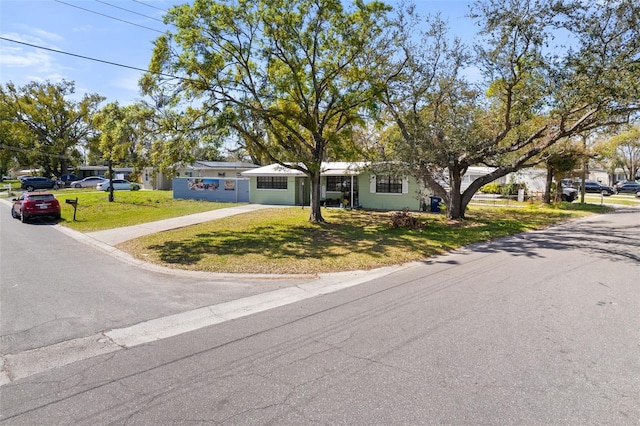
[(275, 241)]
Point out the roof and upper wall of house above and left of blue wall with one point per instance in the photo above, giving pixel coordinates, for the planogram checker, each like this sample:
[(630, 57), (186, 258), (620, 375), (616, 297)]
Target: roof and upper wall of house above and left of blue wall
[(153, 179)]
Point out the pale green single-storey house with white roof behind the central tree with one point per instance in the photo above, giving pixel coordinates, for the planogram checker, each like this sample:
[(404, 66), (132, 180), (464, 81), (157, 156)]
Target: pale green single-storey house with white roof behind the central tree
[(355, 184)]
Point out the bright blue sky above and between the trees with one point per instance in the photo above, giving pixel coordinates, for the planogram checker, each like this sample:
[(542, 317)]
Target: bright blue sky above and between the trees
[(115, 31)]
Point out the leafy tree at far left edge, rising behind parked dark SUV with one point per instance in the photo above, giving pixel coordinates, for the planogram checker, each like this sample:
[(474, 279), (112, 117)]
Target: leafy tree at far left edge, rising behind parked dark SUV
[(45, 125)]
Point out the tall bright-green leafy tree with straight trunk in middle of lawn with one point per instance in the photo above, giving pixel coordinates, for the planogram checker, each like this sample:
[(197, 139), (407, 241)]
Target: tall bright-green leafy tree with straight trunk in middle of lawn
[(288, 77)]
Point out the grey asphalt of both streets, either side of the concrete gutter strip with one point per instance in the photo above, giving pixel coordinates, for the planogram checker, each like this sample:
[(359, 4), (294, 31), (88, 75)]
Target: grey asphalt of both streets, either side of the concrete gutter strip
[(541, 328)]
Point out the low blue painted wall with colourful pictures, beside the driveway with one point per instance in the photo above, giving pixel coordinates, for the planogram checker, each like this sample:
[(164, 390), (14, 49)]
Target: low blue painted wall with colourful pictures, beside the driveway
[(224, 190)]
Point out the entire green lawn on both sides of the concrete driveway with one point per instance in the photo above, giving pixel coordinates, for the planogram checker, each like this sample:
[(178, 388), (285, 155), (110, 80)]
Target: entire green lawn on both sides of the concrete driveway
[(283, 240)]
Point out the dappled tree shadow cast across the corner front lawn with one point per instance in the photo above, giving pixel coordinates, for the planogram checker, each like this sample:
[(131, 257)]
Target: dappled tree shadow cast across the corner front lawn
[(361, 236)]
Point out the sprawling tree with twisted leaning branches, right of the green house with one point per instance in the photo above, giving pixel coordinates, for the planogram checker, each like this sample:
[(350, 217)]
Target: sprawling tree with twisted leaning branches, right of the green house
[(536, 93)]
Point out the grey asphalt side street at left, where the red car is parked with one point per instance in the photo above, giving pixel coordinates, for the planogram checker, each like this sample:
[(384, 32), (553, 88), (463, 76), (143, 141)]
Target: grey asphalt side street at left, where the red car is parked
[(54, 288)]
